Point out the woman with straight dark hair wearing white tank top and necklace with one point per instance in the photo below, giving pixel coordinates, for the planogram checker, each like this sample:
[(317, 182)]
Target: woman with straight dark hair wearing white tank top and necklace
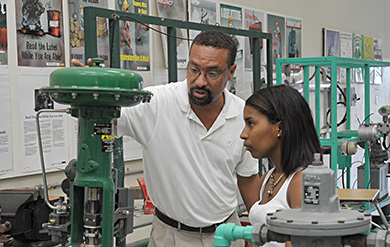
[(279, 126)]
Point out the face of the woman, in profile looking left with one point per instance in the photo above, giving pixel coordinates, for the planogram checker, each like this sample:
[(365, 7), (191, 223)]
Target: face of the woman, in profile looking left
[(260, 136)]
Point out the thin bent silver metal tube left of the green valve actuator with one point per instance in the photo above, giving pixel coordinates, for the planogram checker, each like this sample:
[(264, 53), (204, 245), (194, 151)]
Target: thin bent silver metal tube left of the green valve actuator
[(41, 153)]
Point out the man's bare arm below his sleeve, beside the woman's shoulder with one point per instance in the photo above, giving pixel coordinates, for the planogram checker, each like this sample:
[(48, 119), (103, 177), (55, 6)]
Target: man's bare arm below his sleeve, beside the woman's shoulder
[(249, 188)]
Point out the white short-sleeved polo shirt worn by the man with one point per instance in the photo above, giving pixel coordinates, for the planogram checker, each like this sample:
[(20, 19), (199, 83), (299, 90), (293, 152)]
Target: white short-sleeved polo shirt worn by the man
[(190, 172)]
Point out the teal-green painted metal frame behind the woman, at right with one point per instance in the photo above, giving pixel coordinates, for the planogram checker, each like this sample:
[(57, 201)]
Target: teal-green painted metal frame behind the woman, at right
[(334, 63)]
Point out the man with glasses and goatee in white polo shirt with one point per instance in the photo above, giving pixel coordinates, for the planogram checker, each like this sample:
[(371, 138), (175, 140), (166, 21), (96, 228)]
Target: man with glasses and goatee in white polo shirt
[(192, 153)]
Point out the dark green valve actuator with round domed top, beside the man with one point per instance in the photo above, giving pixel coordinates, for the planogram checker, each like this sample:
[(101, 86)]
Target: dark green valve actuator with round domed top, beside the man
[(96, 95)]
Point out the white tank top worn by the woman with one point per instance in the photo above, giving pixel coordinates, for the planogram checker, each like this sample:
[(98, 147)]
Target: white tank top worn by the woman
[(258, 213)]
